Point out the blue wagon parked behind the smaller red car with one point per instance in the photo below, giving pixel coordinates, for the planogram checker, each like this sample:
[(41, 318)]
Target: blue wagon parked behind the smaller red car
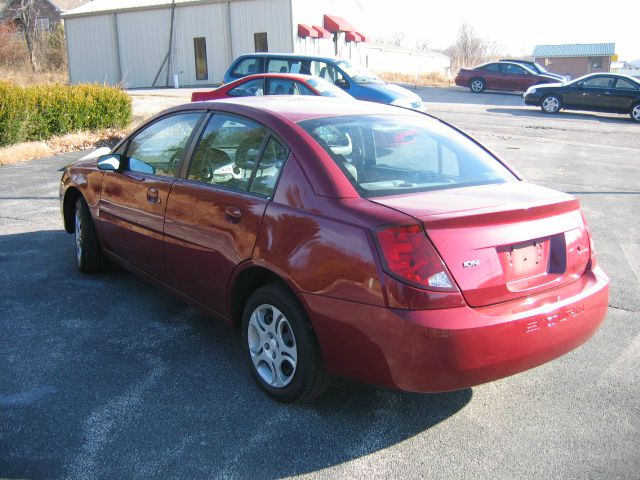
[(354, 79)]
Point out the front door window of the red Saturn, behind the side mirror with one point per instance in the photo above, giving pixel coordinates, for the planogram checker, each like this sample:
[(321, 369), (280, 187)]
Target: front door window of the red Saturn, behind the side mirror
[(159, 148)]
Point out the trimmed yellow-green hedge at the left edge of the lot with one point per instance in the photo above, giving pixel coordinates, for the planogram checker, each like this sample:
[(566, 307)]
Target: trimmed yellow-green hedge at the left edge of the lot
[(43, 111)]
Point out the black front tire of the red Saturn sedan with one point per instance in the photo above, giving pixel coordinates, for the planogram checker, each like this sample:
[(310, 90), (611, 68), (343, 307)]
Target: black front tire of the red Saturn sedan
[(89, 256)]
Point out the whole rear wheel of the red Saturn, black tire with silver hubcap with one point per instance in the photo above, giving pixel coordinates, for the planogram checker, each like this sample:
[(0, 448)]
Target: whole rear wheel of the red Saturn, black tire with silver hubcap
[(268, 351)]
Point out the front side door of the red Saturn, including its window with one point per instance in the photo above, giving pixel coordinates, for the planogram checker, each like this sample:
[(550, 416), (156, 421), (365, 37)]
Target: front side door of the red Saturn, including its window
[(133, 200)]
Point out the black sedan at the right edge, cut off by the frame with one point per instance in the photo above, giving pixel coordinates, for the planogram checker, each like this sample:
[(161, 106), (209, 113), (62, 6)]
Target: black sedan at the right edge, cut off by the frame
[(597, 92)]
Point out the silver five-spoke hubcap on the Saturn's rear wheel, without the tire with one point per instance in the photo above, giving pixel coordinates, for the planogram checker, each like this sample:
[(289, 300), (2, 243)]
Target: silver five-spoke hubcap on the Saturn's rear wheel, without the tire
[(272, 346)]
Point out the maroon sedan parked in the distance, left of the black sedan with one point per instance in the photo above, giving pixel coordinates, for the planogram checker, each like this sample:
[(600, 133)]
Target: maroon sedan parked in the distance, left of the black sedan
[(500, 76)]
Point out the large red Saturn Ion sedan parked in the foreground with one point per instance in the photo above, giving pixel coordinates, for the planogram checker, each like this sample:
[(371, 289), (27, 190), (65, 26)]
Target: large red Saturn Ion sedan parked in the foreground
[(343, 238)]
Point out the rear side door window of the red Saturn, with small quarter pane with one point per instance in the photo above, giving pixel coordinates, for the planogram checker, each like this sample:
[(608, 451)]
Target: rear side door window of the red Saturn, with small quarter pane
[(238, 154)]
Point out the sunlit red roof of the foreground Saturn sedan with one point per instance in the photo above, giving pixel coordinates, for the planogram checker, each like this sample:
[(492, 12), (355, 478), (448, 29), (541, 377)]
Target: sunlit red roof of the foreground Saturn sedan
[(296, 108)]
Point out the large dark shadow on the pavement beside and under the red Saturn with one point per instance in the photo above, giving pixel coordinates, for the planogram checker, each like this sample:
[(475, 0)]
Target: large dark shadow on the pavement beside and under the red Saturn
[(105, 375)]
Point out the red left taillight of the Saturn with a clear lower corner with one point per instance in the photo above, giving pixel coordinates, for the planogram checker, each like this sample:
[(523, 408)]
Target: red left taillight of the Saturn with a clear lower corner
[(408, 255)]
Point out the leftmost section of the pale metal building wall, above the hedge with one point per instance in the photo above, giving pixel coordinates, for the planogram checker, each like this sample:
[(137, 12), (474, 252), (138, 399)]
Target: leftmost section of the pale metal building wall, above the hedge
[(98, 63)]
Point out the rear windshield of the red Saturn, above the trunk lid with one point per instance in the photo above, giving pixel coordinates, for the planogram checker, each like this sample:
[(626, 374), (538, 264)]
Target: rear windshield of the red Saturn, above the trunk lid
[(387, 155)]
